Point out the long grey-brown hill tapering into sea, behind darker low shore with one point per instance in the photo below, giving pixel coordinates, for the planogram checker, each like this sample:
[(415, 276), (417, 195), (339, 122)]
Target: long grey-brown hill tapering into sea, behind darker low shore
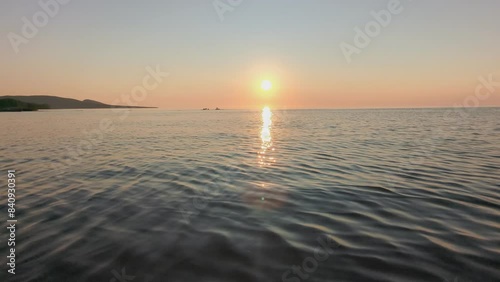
[(54, 102)]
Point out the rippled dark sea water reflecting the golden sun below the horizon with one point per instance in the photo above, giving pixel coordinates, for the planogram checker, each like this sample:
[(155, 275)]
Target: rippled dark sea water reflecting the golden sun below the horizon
[(394, 195)]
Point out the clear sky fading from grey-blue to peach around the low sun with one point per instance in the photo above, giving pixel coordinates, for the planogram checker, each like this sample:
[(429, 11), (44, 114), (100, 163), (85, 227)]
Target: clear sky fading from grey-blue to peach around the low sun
[(429, 55)]
